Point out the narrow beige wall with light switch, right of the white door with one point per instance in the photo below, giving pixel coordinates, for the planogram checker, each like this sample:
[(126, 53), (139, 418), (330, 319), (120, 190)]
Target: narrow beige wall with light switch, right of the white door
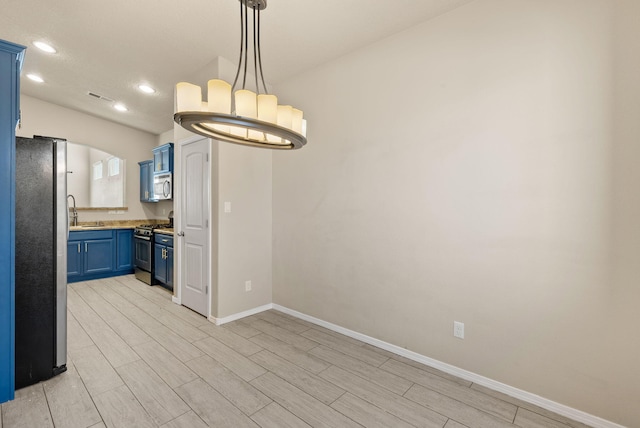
[(241, 179)]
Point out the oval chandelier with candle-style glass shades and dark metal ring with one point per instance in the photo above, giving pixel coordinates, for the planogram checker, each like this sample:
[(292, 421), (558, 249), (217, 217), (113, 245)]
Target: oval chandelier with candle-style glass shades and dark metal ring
[(242, 116)]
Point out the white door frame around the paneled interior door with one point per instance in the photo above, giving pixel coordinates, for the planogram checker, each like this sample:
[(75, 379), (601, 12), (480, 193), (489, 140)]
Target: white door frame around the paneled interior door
[(177, 215)]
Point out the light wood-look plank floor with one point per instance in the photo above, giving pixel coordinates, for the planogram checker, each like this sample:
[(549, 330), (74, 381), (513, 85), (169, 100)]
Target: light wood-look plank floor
[(138, 360)]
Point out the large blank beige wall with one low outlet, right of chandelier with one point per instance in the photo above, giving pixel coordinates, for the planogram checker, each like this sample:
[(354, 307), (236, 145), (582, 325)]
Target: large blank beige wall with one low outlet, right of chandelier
[(480, 167)]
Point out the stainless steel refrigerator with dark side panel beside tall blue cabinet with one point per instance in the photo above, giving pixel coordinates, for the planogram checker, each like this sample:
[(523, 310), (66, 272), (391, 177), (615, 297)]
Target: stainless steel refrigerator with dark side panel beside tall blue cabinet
[(40, 259)]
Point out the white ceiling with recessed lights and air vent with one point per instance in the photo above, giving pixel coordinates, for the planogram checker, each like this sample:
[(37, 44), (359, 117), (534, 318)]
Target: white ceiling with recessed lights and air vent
[(110, 46)]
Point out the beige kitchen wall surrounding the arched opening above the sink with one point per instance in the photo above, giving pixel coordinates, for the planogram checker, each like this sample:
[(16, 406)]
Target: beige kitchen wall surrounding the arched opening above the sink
[(43, 118)]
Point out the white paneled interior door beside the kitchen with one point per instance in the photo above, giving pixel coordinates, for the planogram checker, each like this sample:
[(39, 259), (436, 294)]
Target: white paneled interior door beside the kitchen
[(194, 224)]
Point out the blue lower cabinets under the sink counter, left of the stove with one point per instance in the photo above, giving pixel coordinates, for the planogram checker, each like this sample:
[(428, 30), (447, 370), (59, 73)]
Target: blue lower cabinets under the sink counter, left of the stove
[(97, 254)]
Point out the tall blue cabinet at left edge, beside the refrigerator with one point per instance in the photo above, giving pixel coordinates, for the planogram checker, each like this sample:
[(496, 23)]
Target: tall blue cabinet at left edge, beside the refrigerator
[(11, 56)]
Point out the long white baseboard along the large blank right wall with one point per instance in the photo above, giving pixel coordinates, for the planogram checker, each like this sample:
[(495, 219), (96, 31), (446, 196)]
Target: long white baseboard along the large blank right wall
[(561, 409)]
